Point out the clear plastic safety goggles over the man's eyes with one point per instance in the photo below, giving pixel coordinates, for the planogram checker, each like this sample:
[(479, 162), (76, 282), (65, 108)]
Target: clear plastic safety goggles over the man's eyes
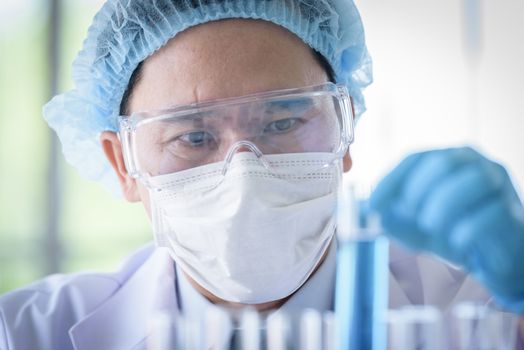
[(301, 120)]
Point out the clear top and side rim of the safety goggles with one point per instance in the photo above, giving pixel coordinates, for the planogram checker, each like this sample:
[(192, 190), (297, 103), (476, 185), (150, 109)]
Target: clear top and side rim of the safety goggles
[(128, 125)]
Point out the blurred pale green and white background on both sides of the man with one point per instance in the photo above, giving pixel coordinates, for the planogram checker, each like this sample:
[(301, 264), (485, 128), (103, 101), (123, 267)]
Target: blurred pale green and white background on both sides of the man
[(447, 73)]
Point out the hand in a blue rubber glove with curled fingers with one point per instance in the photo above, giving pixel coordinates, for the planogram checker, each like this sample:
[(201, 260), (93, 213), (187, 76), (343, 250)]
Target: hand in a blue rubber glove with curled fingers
[(463, 207)]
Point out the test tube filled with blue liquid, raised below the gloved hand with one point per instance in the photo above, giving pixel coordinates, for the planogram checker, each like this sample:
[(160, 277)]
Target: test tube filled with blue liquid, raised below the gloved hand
[(362, 277)]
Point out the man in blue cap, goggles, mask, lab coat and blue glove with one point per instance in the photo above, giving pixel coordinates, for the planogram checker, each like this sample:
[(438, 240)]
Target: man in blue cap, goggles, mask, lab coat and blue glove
[(234, 136)]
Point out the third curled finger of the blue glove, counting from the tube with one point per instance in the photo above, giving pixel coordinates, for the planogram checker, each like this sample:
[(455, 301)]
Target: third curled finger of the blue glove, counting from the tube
[(459, 194)]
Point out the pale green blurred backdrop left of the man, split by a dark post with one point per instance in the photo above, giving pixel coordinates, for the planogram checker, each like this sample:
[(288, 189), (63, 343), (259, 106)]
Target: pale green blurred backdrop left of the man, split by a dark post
[(96, 230)]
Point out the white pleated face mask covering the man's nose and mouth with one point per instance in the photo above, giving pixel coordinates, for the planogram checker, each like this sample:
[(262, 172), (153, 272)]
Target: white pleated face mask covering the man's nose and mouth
[(255, 237)]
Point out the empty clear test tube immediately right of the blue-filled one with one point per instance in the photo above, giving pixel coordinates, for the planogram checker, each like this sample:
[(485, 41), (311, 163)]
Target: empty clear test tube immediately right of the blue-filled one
[(416, 327)]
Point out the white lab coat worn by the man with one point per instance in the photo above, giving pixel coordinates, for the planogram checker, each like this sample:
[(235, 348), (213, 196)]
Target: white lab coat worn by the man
[(110, 311)]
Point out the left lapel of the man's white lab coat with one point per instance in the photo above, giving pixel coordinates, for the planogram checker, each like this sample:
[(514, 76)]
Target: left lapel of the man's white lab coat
[(121, 322)]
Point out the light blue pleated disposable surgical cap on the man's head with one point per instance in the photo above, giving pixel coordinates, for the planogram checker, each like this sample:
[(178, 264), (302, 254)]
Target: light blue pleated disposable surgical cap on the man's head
[(125, 32)]
